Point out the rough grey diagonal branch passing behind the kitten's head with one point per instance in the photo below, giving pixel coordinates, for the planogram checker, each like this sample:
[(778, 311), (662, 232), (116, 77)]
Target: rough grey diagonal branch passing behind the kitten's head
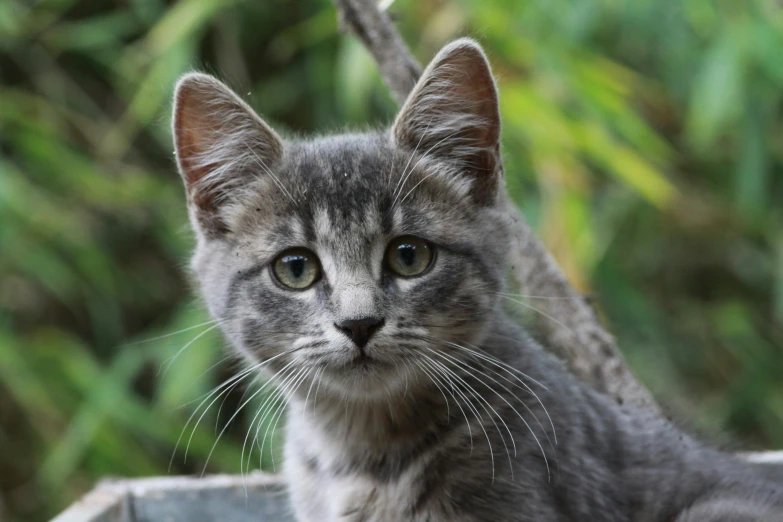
[(572, 331)]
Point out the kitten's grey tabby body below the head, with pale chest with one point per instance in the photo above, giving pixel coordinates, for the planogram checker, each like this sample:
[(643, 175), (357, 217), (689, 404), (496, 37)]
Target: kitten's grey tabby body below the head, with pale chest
[(609, 464)]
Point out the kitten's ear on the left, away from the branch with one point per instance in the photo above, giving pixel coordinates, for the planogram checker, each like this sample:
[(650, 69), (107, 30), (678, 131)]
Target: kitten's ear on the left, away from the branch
[(220, 142)]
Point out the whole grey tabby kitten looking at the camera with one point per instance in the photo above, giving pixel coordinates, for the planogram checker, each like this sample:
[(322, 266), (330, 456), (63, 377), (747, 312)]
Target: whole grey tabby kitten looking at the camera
[(371, 267)]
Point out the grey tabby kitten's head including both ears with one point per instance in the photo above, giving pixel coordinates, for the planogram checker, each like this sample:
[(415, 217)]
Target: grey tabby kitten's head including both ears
[(356, 256)]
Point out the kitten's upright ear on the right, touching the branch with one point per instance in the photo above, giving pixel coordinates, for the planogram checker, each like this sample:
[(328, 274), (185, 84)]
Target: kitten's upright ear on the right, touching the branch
[(453, 114)]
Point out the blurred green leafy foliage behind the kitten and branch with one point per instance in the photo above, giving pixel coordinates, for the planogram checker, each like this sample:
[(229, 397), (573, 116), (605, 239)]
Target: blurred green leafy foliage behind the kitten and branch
[(643, 140)]
